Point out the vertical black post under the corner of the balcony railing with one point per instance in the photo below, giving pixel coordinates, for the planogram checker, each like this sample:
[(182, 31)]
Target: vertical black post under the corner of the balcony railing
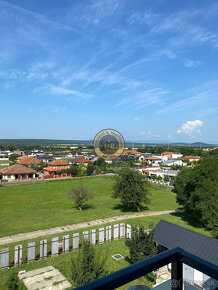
[(176, 276)]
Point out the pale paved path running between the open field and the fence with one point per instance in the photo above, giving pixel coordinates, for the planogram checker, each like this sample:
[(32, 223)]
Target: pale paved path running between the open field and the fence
[(58, 230)]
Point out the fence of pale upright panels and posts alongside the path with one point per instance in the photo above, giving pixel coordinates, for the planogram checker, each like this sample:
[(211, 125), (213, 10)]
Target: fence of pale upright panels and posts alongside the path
[(15, 256)]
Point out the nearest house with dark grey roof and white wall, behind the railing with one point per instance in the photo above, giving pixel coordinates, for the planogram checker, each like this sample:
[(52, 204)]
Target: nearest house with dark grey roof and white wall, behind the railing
[(169, 235)]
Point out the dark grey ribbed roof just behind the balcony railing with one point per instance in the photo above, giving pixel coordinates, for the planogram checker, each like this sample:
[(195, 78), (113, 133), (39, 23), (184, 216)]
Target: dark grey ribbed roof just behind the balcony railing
[(171, 236)]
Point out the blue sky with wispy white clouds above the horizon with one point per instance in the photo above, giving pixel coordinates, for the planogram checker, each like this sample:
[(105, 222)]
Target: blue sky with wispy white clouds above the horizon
[(146, 68)]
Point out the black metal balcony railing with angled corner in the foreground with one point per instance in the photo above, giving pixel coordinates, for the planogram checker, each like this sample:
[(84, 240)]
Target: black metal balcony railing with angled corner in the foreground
[(176, 256)]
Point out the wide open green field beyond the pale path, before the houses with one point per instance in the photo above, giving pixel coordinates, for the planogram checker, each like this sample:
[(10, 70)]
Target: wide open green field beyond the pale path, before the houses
[(29, 207)]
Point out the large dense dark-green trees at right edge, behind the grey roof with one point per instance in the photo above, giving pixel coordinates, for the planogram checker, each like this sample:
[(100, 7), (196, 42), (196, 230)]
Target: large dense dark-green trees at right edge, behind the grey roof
[(197, 190)]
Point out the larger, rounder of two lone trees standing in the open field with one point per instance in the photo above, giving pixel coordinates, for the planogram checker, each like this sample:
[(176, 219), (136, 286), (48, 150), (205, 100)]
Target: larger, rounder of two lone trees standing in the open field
[(132, 188)]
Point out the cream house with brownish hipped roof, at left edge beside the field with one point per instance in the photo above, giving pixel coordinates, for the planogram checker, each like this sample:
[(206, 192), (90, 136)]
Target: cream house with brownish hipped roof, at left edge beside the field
[(17, 172)]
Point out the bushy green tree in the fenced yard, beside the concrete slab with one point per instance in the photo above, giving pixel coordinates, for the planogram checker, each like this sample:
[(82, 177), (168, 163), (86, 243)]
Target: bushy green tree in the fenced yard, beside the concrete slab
[(87, 265)]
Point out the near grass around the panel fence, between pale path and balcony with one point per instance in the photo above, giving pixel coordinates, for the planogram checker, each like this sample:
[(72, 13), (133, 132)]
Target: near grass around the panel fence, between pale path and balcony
[(62, 262)]
